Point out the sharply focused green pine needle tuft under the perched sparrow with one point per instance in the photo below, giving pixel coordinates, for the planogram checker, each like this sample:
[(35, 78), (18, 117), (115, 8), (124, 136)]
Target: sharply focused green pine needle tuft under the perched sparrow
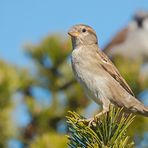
[(109, 130)]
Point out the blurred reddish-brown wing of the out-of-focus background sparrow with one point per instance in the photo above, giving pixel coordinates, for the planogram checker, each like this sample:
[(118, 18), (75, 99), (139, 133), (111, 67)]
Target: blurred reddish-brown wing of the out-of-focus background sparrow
[(119, 38)]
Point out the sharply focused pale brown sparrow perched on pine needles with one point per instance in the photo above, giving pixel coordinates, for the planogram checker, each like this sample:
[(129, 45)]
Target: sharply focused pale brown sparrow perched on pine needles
[(98, 76)]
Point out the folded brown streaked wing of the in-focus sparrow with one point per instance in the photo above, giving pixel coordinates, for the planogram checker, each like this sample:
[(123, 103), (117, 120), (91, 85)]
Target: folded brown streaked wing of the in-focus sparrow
[(108, 66)]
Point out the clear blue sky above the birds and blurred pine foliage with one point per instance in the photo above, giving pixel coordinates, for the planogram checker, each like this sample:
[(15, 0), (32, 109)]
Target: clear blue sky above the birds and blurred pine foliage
[(28, 21)]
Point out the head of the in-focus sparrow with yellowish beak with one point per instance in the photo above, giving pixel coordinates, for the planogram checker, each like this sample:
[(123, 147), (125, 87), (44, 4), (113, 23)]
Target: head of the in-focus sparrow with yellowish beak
[(82, 35)]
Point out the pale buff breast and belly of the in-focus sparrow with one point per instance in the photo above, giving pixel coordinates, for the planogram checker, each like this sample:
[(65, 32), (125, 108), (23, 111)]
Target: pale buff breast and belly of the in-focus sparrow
[(92, 82)]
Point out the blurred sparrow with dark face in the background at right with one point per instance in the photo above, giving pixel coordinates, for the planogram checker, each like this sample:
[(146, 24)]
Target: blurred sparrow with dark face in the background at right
[(131, 42)]
